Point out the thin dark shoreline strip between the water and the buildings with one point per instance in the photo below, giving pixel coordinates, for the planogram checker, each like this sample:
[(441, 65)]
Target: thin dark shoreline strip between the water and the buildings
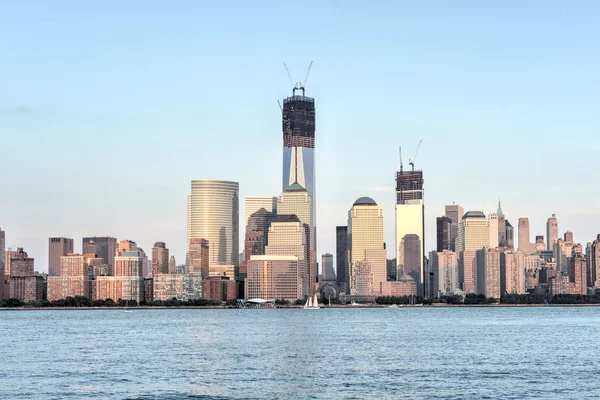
[(337, 306)]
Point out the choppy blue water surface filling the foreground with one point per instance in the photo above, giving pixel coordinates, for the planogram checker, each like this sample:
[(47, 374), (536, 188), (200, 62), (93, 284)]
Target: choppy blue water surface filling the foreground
[(454, 353)]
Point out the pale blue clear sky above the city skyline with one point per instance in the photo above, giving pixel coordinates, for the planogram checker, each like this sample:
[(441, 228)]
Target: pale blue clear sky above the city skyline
[(109, 109)]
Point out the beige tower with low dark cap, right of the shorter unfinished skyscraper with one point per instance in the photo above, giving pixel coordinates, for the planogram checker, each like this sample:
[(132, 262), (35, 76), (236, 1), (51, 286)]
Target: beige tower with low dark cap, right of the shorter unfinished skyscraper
[(473, 235)]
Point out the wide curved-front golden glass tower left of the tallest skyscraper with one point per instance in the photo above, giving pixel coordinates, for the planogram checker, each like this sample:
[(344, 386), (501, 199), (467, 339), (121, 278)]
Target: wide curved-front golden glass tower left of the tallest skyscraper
[(214, 216)]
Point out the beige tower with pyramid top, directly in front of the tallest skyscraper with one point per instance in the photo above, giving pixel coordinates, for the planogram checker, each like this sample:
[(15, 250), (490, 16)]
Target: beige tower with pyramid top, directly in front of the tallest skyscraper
[(296, 200)]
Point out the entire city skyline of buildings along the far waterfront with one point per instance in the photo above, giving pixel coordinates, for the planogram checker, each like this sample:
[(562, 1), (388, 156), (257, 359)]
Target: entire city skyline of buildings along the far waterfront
[(474, 252)]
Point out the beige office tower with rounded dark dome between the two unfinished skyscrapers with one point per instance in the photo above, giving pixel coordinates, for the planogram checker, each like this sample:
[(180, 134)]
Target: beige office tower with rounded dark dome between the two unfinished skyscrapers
[(366, 248)]
